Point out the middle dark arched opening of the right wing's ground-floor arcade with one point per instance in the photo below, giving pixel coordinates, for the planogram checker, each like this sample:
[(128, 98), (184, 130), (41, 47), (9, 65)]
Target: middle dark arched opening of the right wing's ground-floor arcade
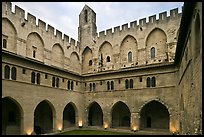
[(120, 115)]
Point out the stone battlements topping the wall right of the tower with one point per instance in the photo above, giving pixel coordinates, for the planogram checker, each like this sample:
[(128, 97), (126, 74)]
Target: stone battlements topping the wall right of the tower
[(142, 22)]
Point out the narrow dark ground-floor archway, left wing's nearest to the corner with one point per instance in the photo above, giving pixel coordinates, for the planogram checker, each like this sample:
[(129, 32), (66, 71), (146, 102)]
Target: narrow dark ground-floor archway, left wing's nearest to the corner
[(69, 116)]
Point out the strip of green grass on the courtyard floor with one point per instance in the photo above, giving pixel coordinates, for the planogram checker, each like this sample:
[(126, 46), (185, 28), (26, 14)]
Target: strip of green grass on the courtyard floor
[(93, 132)]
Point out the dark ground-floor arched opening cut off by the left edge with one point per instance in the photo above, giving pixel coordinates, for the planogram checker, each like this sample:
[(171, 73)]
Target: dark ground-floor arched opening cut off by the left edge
[(11, 117)]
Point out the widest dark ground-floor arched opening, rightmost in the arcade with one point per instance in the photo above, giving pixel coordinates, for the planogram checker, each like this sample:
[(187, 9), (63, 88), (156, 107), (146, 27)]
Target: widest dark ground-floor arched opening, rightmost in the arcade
[(154, 115)]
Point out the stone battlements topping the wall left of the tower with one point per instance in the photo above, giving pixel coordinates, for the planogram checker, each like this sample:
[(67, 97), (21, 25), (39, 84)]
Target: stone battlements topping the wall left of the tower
[(19, 14)]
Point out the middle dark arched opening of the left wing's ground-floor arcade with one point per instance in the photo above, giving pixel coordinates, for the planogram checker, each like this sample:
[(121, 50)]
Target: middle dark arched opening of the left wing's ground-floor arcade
[(43, 118)]
